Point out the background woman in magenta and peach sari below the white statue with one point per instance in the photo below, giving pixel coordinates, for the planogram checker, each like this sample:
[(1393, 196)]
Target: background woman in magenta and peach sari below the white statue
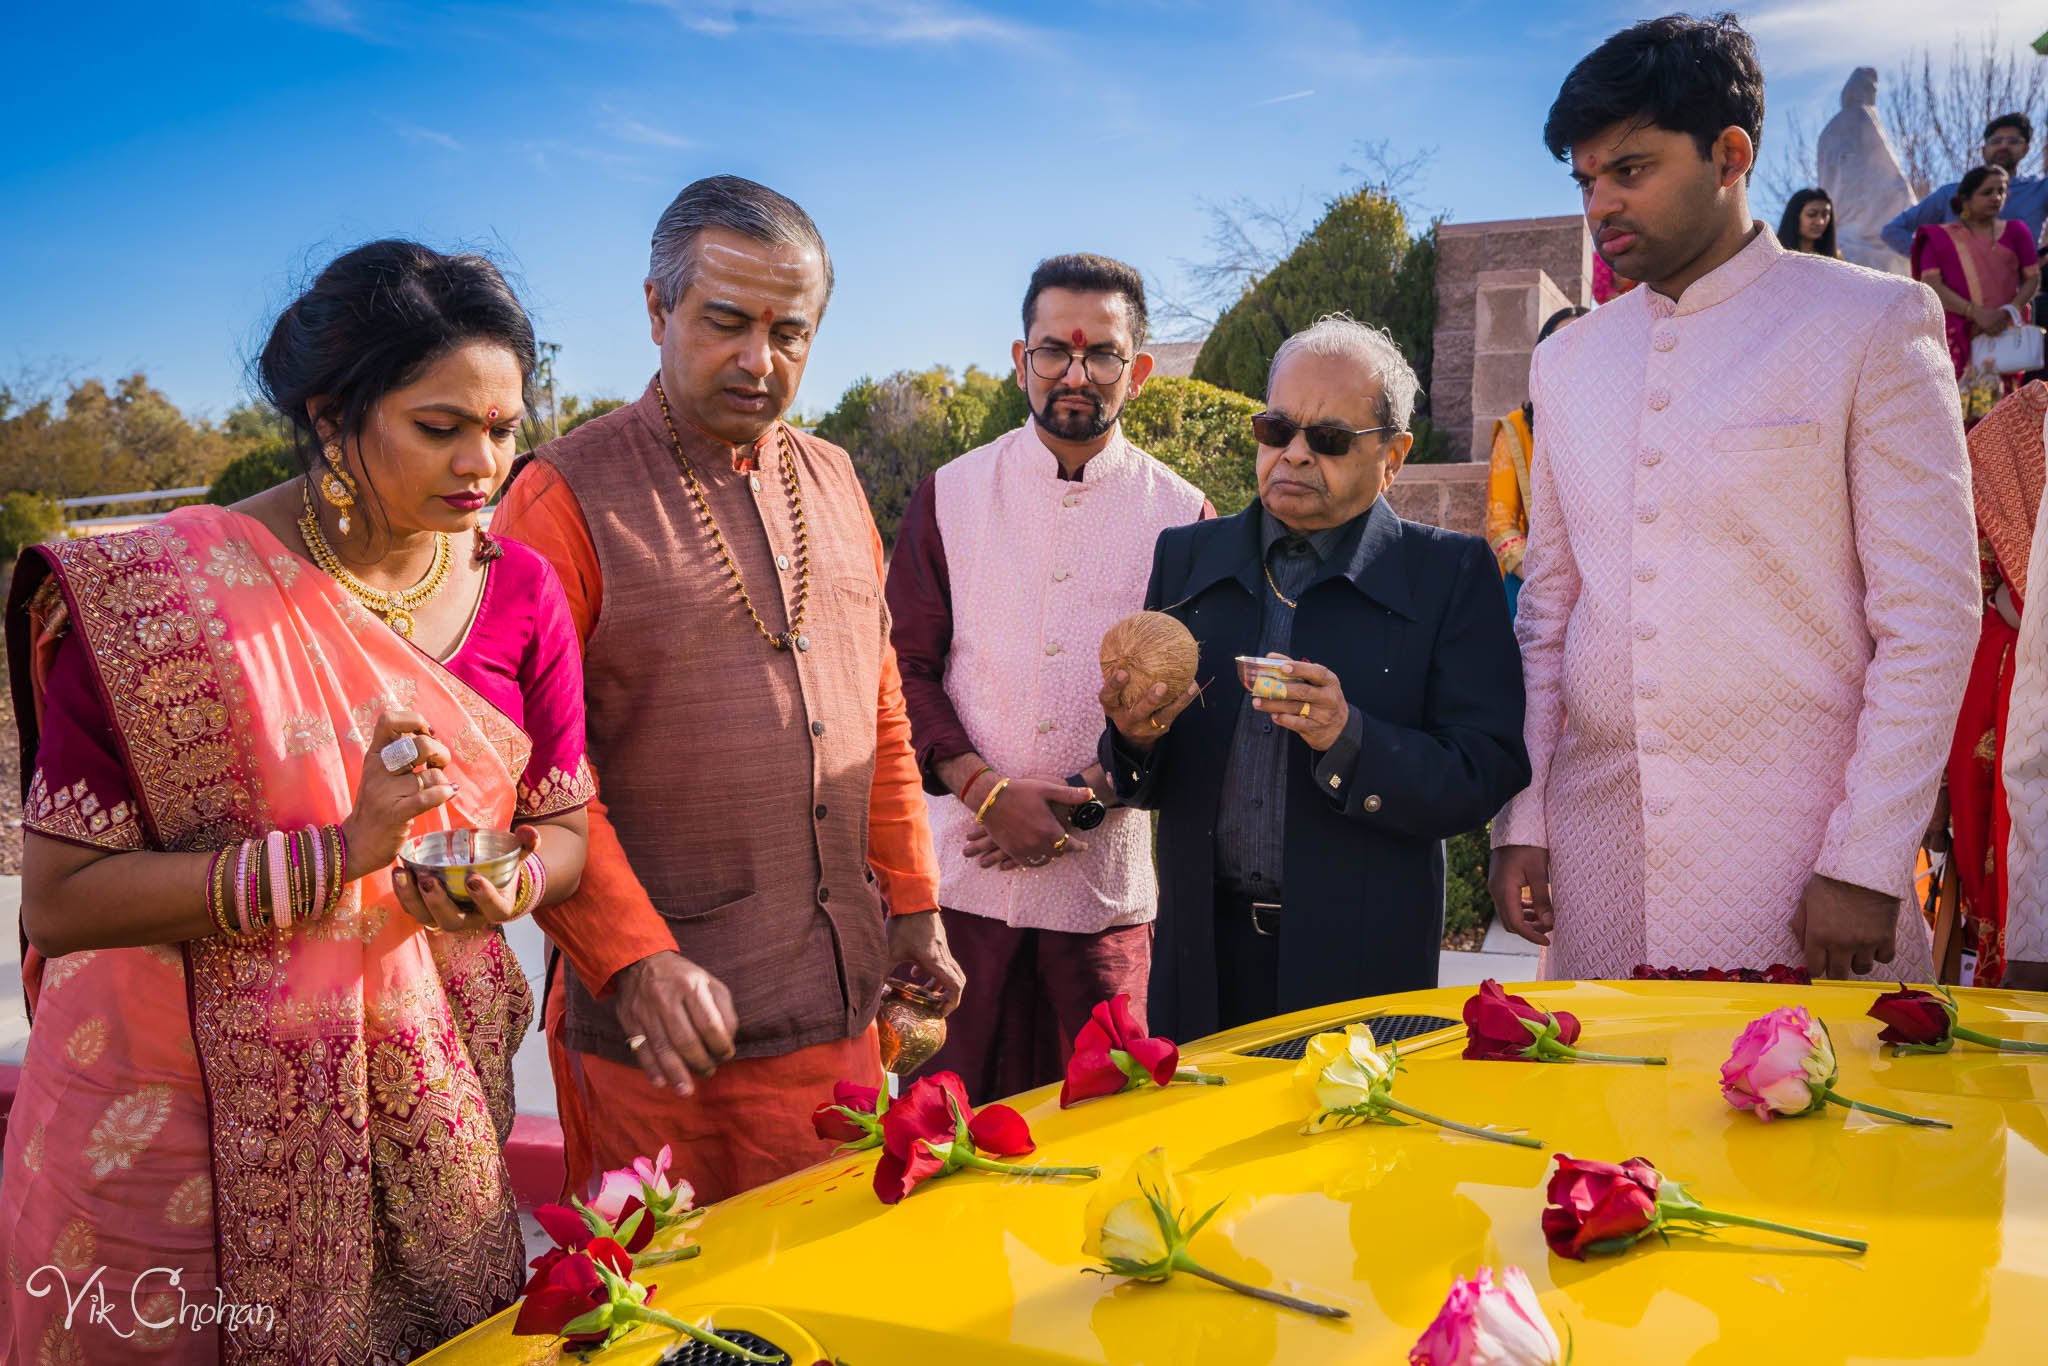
[(1979, 267)]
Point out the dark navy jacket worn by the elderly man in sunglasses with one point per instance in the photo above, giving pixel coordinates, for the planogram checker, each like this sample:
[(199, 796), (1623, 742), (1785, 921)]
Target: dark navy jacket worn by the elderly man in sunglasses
[(1414, 624)]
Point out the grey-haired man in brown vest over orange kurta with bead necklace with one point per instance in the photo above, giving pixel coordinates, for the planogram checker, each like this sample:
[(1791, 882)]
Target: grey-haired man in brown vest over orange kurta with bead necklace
[(746, 720)]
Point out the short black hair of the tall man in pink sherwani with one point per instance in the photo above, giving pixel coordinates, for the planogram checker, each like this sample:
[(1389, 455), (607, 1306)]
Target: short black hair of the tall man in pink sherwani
[(1678, 73)]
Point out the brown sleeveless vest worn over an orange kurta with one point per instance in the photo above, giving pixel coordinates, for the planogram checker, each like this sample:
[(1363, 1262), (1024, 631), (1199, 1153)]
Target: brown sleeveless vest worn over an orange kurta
[(736, 775)]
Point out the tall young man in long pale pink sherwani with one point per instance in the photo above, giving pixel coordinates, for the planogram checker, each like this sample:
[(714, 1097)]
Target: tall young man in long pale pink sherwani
[(1752, 577)]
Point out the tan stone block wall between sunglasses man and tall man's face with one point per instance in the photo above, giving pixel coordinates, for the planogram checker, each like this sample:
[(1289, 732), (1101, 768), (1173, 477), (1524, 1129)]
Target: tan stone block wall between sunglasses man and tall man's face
[(1488, 292)]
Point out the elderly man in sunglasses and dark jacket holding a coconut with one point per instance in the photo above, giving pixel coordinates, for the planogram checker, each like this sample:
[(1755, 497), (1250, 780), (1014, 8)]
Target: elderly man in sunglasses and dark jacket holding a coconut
[(1302, 851)]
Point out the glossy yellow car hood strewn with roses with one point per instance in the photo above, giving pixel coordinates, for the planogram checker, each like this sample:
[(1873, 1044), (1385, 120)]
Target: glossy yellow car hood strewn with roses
[(1377, 1220)]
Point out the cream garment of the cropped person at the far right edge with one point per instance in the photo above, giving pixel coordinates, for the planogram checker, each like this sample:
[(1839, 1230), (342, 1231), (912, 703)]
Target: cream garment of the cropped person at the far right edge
[(2026, 775)]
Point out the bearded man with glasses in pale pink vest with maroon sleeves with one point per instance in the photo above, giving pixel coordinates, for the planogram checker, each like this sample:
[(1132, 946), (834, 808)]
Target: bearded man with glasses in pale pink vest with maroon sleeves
[(1013, 562)]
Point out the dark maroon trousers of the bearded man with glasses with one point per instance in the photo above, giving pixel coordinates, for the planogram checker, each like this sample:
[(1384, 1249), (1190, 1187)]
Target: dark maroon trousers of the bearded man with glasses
[(1029, 996)]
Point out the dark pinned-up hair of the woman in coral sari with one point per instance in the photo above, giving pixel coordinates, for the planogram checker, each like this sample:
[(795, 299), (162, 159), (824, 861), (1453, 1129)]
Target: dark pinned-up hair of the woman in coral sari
[(374, 323)]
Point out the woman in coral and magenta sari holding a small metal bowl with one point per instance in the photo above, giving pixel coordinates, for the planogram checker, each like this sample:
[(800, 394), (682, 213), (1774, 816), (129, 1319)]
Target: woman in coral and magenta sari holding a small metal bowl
[(269, 1078)]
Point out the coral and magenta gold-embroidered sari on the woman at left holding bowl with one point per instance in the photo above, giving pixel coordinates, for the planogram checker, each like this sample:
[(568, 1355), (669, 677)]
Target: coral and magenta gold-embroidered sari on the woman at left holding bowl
[(288, 1148)]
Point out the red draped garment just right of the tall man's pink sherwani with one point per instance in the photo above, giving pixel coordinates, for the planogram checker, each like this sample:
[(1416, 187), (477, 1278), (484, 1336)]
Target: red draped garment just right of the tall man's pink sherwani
[(1977, 812)]
